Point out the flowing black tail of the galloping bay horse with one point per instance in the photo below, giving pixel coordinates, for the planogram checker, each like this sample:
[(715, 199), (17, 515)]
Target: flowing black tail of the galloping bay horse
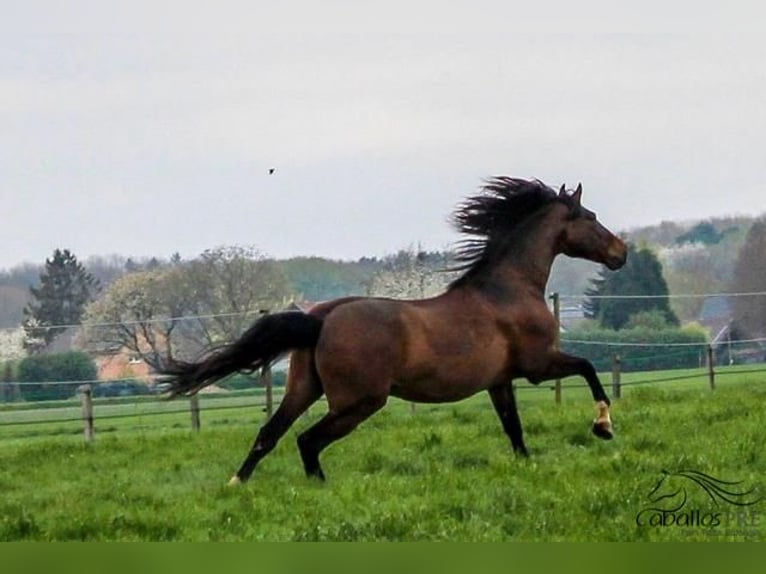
[(263, 343)]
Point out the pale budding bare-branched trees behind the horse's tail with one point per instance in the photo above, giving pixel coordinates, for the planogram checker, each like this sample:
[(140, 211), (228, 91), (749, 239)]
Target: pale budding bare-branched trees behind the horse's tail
[(178, 311)]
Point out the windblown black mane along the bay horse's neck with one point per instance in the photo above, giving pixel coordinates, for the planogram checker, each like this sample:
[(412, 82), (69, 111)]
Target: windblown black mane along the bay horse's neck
[(491, 217)]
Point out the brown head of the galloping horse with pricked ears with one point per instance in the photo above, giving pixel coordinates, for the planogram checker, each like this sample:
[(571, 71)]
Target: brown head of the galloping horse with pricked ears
[(583, 235)]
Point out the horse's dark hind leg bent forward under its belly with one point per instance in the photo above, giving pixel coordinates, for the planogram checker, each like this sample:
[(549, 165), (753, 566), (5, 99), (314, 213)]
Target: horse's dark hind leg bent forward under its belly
[(333, 426)]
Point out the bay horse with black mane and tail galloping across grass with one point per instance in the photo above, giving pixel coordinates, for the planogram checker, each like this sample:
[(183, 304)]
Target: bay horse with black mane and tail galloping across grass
[(490, 326)]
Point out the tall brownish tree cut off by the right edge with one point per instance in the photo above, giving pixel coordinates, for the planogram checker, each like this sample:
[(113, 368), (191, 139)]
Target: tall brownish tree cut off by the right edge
[(750, 277)]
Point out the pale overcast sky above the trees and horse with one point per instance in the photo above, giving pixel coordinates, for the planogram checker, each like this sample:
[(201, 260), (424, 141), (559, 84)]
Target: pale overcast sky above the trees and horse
[(151, 129)]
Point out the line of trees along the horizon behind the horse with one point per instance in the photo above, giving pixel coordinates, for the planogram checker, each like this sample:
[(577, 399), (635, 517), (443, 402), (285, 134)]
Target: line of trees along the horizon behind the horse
[(159, 309)]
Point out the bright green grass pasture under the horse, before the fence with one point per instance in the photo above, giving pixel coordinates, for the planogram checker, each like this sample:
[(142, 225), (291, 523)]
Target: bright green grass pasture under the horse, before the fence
[(441, 473)]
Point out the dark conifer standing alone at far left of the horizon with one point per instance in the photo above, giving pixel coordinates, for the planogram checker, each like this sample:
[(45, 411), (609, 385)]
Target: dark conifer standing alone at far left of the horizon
[(64, 289)]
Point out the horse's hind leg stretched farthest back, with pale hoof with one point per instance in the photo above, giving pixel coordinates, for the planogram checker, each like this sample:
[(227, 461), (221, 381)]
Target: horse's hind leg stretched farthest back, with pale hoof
[(303, 389)]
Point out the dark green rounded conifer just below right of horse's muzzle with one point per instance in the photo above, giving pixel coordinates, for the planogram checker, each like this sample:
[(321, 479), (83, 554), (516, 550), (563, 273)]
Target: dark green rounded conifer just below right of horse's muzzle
[(641, 277)]
